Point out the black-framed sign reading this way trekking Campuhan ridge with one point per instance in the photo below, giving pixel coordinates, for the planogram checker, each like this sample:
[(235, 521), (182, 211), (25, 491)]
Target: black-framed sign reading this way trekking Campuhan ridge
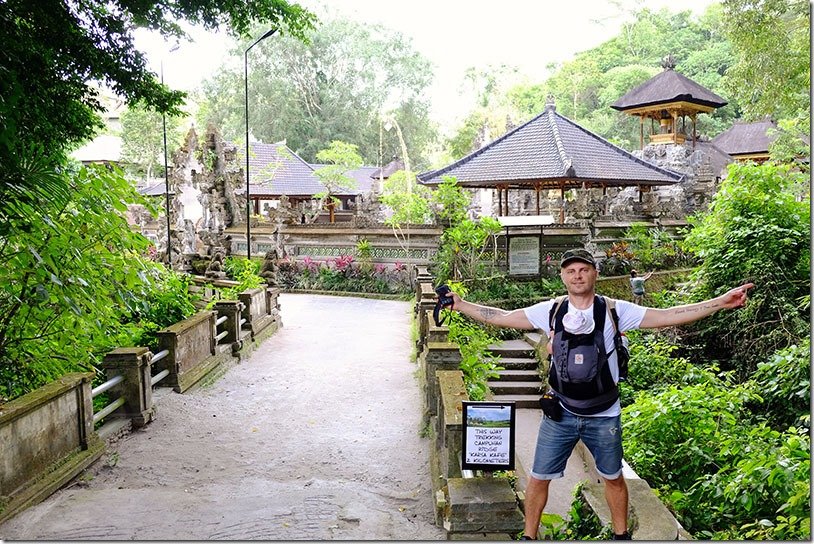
[(488, 441)]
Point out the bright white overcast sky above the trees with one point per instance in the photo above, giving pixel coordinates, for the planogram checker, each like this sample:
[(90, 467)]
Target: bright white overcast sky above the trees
[(453, 34)]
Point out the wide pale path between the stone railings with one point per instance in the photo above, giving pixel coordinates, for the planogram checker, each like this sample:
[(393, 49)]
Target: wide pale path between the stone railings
[(315, 437)]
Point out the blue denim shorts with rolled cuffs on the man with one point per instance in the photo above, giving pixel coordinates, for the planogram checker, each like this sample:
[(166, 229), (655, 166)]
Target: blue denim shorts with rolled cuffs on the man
[(556, 440)]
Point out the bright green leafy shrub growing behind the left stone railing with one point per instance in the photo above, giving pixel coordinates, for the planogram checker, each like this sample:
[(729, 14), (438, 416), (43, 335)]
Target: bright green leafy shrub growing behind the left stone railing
[(69, 281)]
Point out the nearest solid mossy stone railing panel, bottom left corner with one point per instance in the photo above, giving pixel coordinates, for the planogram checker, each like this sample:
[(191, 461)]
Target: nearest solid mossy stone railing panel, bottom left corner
[(46, 439)]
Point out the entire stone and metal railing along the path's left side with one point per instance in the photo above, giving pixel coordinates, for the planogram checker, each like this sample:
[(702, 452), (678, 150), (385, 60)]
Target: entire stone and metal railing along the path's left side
[(47, 437)]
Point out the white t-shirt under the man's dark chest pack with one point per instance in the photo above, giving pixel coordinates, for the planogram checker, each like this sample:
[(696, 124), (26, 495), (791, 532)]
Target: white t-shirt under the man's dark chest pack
[(630, 317)]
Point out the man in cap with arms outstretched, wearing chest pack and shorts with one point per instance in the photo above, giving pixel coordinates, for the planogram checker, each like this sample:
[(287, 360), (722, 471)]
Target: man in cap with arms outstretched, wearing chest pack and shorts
[(584, 374)]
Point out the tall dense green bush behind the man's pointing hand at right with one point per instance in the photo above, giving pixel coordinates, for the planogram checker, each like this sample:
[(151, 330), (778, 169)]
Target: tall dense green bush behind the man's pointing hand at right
[(756, 230)]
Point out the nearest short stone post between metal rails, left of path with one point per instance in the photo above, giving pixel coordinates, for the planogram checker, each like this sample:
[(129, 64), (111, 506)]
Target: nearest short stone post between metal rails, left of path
[(133, 364)]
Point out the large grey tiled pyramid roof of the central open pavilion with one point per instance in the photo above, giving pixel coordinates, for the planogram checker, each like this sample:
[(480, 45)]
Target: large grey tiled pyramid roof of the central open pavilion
[(553, 152)]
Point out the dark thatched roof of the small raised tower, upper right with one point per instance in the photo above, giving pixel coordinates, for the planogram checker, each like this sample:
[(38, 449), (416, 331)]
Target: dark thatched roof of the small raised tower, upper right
[(668, 86)]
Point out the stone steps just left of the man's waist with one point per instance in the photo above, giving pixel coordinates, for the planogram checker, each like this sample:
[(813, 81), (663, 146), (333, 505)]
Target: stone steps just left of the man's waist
[(520, 381)]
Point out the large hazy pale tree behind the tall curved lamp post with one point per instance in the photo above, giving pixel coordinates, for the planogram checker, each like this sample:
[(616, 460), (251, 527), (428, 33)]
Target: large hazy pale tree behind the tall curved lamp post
[(333, 88)]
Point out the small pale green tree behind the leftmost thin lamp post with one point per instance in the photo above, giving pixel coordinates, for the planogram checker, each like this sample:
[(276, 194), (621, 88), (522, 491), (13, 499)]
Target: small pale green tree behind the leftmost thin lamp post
[(143, 139)]
